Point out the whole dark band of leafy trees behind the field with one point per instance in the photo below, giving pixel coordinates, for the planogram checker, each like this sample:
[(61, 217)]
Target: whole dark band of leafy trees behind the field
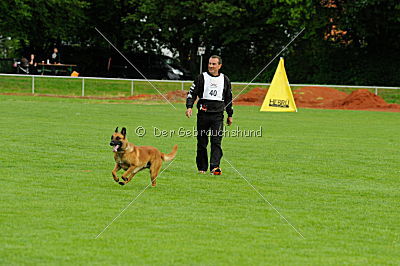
[(345, 42)]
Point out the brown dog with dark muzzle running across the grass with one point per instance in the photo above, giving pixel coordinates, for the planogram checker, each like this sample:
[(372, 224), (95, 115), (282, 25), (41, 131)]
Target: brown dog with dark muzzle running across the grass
[(134, 158)]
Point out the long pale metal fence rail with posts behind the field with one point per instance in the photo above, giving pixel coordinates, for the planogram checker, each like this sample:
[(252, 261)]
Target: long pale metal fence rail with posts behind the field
[(376, 88)]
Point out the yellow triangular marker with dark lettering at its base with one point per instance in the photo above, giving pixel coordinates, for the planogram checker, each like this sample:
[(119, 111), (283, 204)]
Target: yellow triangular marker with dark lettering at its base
[(279, 97)]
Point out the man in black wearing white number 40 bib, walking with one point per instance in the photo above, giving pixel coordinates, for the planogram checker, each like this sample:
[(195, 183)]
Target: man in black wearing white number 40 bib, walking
[(215, 95)]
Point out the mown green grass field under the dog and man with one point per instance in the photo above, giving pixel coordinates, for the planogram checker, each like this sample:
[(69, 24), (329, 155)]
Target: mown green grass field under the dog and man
[(332, 174)]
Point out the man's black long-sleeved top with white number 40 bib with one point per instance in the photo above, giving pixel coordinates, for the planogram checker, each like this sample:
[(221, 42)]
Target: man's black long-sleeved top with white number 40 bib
[(214, 93)]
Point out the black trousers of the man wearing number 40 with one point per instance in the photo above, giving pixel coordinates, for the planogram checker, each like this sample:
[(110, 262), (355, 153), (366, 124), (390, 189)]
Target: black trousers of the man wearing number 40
[(209, 125)]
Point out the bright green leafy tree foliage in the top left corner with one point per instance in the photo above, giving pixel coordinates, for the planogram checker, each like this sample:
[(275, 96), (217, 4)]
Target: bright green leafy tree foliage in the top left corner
[(39, 25)]
